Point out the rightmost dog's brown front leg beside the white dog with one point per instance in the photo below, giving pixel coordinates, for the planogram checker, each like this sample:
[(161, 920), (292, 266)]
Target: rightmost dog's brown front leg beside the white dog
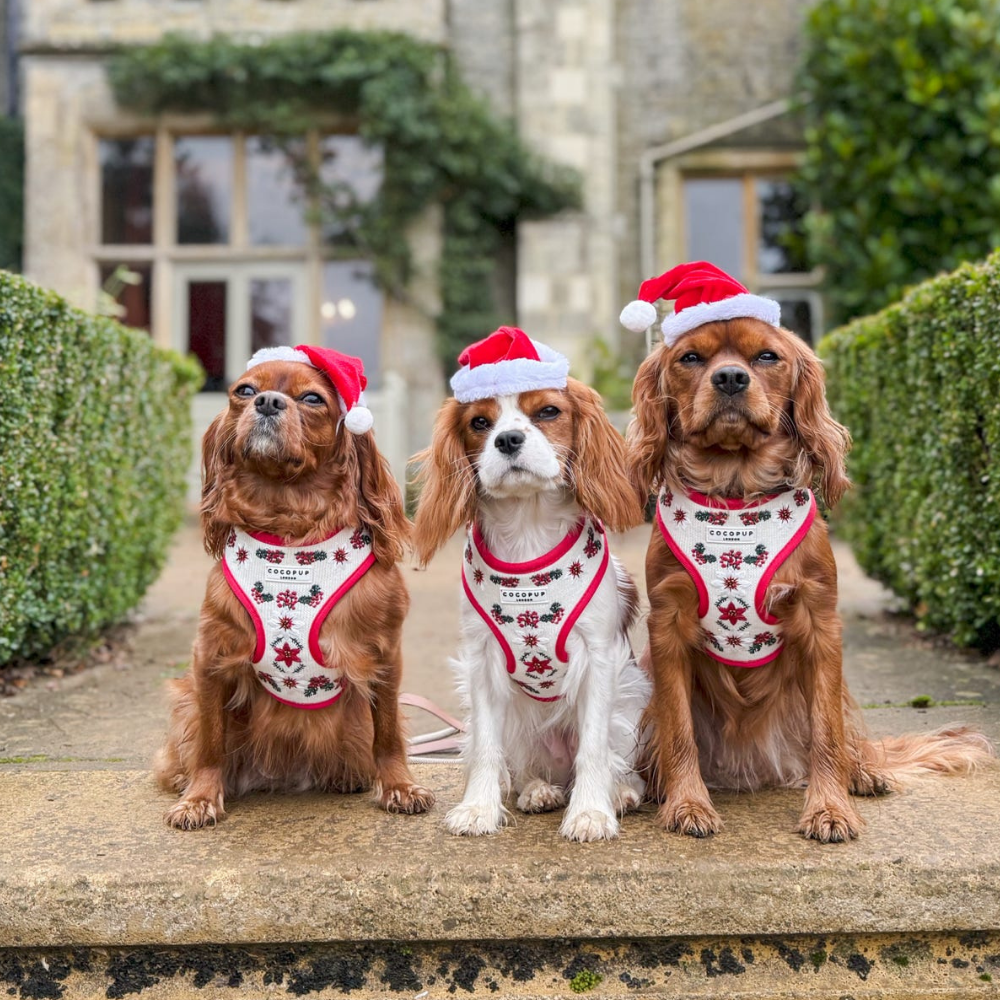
[(674, 631)]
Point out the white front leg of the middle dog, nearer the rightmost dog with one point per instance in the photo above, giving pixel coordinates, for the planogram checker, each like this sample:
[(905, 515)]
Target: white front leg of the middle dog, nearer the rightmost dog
[(590, 814)]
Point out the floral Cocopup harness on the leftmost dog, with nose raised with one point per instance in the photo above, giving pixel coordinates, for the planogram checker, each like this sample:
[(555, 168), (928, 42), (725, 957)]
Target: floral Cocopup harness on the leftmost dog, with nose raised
[(289, 590)]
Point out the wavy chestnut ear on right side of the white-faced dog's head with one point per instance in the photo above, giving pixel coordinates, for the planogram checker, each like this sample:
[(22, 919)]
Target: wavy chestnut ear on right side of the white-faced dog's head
[(599, 476)]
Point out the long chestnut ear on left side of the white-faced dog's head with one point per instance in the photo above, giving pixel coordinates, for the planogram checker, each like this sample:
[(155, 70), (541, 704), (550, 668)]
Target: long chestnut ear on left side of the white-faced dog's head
[(448, 485)]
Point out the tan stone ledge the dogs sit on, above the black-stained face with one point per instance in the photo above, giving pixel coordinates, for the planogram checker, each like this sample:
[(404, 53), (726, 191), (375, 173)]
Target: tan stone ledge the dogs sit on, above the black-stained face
[(85, 860)]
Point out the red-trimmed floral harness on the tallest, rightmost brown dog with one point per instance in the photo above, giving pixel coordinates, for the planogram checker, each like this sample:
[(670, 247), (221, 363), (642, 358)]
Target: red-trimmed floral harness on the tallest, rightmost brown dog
[(731, 551)]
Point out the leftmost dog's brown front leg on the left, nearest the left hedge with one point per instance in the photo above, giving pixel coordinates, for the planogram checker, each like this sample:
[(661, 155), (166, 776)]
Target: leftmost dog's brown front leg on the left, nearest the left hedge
[(202, 801)]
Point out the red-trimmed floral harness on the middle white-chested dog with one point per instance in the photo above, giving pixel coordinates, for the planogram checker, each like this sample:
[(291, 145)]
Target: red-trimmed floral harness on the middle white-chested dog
[(531, 607)]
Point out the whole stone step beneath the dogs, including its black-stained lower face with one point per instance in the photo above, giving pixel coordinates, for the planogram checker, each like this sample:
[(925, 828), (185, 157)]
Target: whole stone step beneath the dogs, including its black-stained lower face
[(327, 896)]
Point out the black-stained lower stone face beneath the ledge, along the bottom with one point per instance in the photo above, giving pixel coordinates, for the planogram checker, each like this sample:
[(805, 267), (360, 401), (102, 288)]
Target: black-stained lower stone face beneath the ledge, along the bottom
[(902, 966)]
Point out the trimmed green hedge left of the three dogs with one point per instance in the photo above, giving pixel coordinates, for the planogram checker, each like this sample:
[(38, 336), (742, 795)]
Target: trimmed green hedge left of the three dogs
[(94, 441)]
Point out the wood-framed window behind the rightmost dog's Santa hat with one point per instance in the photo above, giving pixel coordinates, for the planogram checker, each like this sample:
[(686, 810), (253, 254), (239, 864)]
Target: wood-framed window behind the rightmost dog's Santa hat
[(750, 225)]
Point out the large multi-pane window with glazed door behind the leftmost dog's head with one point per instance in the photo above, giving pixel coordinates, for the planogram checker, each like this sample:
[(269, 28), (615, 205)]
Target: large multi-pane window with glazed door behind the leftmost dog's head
[(231, 225)]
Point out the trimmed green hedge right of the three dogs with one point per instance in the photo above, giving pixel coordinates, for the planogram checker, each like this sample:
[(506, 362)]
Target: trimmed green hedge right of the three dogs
[(918, 384)]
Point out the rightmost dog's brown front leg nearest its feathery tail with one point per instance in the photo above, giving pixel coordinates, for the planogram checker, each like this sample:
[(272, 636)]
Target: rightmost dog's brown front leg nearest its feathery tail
[(813, 639)]
